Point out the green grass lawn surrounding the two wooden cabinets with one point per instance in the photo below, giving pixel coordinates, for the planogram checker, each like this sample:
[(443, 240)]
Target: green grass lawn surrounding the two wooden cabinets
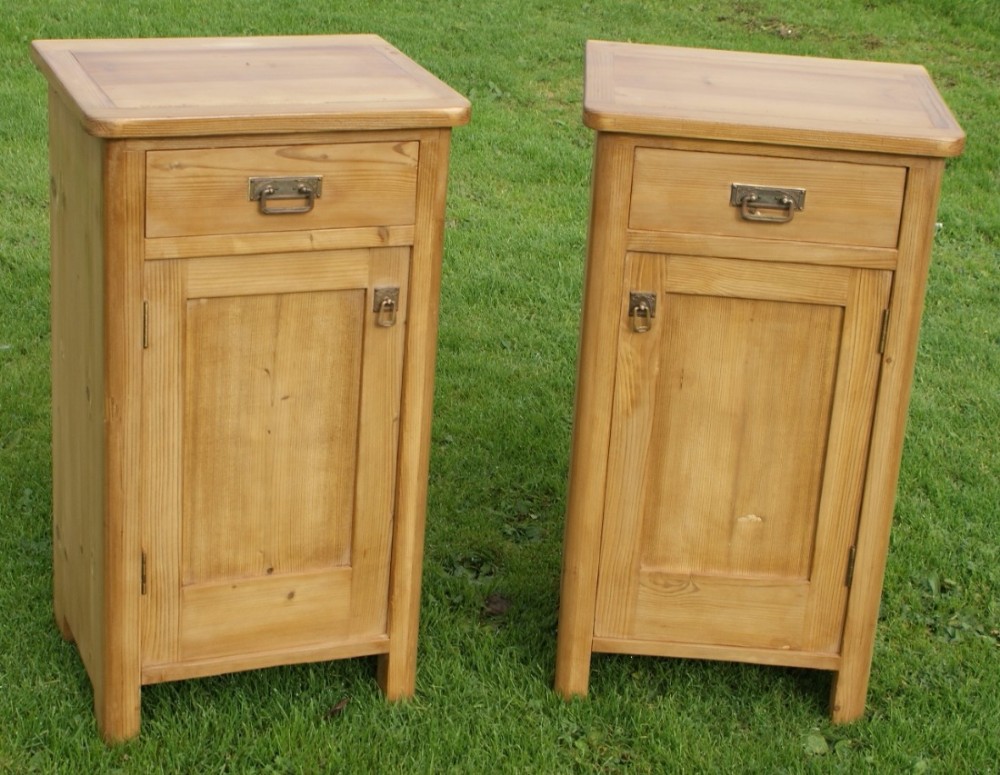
[(507, 350)]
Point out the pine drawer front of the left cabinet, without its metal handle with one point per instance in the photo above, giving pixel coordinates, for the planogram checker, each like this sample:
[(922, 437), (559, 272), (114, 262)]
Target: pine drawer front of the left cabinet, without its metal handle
[(204, 191)]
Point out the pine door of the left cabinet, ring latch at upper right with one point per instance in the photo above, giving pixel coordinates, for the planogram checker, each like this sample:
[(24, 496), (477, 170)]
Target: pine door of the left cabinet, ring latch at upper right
[(271, 390)]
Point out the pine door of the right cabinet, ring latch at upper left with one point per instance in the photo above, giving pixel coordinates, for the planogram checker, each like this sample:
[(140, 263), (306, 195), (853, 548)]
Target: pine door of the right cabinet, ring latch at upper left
[(739, 442)]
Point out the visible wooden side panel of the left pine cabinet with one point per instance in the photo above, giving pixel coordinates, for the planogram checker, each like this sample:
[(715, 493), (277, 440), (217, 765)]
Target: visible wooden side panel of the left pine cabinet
[(77, 383)]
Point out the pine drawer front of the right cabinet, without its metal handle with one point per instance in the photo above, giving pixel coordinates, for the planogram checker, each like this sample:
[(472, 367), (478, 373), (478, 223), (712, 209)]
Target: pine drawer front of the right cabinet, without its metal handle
[(689, 191)]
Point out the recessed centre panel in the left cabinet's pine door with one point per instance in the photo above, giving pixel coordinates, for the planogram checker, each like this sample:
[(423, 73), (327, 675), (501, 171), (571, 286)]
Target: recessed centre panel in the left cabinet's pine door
[(271, 397)]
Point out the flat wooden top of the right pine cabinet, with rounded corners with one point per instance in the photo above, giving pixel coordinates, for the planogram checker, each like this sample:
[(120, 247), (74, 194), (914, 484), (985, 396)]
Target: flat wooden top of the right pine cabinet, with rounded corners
[(767, 98)]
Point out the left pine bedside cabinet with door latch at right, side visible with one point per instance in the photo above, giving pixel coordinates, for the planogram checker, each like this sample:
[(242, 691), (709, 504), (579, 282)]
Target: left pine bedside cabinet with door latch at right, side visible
[(246, 248)]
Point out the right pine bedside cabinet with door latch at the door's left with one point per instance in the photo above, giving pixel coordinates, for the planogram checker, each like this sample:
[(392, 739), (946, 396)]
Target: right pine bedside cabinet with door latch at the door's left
[(760, 234)]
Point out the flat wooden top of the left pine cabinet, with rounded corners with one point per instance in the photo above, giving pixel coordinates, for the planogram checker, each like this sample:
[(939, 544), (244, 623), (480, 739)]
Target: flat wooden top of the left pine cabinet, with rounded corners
[(163, 87)]
